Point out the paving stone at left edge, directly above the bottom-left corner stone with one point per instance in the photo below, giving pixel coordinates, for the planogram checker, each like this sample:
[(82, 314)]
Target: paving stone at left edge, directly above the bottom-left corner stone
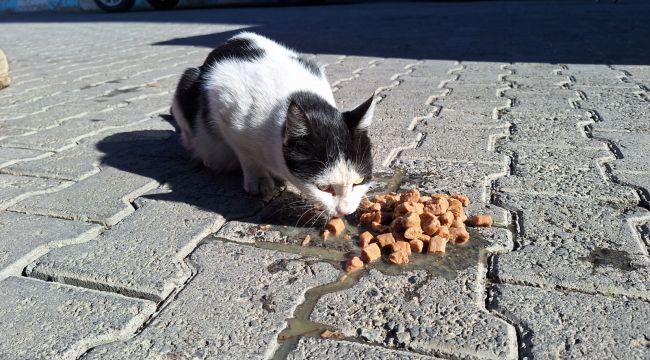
[(26, 237)]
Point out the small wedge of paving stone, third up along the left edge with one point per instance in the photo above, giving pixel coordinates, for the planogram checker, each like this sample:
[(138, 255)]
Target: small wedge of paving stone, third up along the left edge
[(15, 188)]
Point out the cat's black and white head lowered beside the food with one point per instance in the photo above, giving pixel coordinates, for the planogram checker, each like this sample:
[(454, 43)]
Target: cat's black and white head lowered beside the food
[(328, 151)]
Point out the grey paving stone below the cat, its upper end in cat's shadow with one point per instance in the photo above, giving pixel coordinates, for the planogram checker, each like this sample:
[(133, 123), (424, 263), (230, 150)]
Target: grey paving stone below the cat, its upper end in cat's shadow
[(166, 226)]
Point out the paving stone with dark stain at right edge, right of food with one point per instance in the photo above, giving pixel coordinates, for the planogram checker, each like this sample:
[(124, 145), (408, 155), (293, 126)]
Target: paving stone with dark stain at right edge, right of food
[(587, 245)]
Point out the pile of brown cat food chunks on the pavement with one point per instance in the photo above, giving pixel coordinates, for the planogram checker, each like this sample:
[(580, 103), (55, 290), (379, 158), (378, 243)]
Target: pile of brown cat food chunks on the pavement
[(403, 223)]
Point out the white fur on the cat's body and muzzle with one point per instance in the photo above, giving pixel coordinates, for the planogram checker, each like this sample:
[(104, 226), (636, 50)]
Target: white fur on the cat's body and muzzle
[(248, 109)]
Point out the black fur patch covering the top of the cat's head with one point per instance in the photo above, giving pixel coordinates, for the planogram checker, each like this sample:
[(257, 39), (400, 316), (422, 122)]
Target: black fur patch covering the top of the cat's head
[(329, 138)]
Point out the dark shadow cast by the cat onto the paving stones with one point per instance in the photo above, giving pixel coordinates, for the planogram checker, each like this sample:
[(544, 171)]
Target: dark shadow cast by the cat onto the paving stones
[(158, 154)]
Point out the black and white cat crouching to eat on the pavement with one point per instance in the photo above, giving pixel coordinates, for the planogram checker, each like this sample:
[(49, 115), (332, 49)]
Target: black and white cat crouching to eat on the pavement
[(257, 105)]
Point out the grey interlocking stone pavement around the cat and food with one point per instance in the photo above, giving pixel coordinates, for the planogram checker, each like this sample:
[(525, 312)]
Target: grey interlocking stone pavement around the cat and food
[(113, 245)]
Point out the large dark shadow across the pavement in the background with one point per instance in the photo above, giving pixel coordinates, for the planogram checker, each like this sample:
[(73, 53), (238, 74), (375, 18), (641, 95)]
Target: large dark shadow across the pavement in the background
[(527, 31)]
